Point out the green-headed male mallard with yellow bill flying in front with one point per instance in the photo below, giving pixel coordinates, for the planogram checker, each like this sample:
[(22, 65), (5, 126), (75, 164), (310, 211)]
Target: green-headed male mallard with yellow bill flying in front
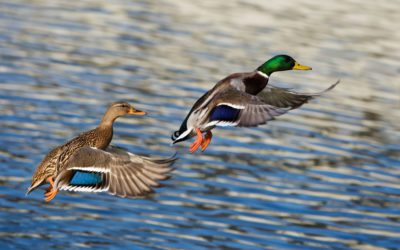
[(237, 100)]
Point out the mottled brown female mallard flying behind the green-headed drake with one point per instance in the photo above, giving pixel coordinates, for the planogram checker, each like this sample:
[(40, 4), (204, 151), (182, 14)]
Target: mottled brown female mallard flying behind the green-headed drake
[(88, 164)]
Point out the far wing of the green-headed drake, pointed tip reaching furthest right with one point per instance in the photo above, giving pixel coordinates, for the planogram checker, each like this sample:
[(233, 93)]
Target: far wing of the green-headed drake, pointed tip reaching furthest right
[(285, 98)]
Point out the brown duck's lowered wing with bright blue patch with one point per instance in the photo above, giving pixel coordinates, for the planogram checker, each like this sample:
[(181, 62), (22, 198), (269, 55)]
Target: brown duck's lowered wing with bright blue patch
[(114, 170)]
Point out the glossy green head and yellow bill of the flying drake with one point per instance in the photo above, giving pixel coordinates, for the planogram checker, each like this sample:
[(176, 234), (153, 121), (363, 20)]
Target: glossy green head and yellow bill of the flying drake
[(281, 63)]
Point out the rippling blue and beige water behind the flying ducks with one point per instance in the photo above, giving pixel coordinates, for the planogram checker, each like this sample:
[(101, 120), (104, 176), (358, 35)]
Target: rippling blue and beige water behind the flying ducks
[(325, 176)]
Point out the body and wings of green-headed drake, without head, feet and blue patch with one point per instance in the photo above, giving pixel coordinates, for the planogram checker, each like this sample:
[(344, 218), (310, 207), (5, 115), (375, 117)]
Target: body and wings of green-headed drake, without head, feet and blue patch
[(247, 92)]
